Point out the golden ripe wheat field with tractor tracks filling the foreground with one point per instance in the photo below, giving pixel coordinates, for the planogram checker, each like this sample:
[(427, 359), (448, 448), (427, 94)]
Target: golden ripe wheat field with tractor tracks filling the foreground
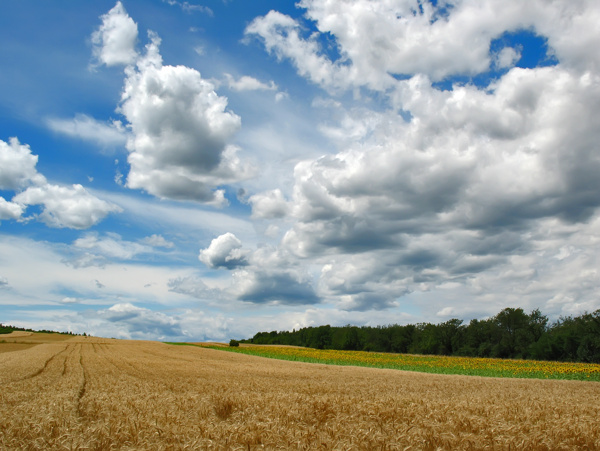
[(101, 394)]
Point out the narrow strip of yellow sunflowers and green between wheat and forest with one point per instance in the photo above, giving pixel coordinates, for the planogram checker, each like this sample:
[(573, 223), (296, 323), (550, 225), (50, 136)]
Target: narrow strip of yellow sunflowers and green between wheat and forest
[(470, 366)]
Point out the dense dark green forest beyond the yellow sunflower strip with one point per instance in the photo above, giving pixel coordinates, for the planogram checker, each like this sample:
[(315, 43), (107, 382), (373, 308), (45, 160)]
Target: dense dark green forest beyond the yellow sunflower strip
[(512, 333)]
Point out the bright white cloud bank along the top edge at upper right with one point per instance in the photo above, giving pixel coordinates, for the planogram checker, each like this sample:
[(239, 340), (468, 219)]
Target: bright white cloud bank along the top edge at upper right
[(376, 40)]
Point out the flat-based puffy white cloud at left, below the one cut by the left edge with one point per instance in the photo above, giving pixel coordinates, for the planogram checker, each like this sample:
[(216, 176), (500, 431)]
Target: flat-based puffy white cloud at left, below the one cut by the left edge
[(73, 207)]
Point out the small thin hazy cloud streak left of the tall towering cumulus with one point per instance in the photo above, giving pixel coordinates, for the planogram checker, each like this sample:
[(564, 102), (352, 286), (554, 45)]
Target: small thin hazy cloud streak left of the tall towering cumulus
[(88, 128)]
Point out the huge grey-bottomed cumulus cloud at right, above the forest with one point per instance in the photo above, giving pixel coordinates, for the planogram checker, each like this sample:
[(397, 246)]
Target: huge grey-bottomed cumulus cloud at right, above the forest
[(452, 195)]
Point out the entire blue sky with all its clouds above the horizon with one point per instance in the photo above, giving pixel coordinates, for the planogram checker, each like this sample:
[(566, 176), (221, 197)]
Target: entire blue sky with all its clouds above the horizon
[(194, 171)]
